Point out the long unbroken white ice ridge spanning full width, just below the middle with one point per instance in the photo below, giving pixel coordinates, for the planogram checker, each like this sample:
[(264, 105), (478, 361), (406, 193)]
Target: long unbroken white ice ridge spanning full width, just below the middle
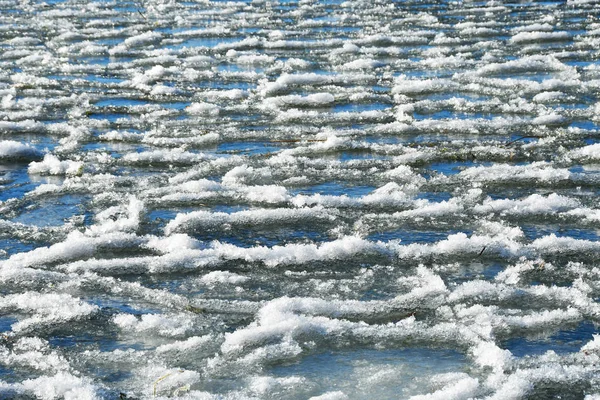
[(181, 252)]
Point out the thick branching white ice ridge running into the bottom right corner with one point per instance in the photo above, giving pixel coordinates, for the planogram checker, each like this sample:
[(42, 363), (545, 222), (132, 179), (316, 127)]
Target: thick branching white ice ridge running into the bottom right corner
[(292, 319)]
